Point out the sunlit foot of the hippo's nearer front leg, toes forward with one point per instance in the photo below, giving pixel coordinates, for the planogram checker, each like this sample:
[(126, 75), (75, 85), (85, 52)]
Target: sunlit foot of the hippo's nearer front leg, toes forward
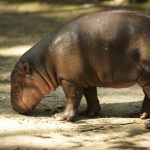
[(65, 116)]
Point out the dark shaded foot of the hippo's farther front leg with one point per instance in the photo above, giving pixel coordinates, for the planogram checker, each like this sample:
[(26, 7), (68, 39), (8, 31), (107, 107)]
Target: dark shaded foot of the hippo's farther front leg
[(91, 112)]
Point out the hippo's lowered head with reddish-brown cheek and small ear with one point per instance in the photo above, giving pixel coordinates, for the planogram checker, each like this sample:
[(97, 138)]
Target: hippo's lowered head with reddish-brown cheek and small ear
[(27, 87)]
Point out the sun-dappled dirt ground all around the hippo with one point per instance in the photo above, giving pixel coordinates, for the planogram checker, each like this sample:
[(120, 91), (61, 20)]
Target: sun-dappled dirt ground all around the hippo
[(117, 126)]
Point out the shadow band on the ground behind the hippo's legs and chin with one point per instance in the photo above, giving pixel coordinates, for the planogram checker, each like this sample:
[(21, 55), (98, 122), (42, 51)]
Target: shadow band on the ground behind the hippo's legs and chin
[(124, 110)]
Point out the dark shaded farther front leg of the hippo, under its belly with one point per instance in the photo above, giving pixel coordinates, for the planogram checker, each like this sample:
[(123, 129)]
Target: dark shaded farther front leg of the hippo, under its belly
[(93, 106)]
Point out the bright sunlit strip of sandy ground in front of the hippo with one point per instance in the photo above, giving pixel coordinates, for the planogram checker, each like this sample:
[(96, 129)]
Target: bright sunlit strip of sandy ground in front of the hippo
[(44, 133)]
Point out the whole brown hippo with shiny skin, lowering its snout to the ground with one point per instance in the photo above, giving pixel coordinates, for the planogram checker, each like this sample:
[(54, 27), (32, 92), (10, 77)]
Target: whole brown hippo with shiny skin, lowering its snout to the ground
[(100, 49)]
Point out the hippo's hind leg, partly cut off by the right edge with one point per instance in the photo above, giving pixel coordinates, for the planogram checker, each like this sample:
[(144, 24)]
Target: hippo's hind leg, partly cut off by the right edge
[(144, 82)]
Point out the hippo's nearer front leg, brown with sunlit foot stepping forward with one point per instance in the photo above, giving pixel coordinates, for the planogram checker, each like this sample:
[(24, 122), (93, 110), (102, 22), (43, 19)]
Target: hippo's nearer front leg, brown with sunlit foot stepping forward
[(73, 95)]
